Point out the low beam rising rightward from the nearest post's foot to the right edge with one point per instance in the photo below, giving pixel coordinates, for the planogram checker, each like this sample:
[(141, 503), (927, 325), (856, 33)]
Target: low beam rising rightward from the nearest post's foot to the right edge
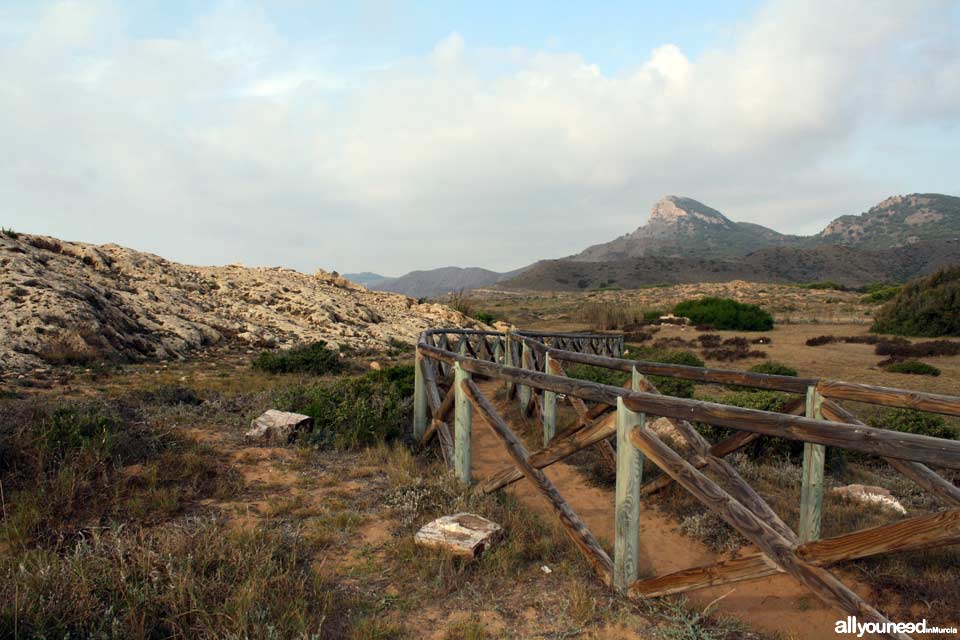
[(922, 532)]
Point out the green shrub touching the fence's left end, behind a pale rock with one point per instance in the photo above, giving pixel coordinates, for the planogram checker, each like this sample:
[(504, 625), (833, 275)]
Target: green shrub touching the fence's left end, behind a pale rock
[(351, 413)]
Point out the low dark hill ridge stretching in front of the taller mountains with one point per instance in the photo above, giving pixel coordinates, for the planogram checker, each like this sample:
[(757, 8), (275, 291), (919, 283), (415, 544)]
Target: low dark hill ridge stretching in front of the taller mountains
[(840, 264)]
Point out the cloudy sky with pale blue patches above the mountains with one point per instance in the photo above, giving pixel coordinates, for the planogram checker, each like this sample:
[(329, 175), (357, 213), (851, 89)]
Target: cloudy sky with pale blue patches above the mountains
[(389, 136)]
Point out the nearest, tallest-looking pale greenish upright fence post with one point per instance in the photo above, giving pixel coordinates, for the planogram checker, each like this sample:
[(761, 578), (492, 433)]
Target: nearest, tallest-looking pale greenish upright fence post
[(626, 543)]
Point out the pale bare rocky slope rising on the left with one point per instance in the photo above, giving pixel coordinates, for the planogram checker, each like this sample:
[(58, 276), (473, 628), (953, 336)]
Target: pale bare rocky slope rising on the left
[(69, 302)]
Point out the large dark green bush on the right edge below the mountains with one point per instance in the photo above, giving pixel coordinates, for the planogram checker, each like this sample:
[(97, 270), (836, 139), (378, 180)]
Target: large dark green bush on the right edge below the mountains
[(925, 307)]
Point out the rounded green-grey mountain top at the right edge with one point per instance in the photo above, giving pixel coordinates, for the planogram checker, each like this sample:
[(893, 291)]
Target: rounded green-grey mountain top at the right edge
[(897, 221)]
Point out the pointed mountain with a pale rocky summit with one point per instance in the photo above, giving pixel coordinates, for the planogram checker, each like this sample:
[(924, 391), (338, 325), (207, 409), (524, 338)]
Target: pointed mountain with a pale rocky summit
[(684, 227)]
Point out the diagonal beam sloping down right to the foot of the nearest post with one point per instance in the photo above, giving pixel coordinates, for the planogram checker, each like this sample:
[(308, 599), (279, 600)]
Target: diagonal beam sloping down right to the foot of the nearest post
[(572, 524)]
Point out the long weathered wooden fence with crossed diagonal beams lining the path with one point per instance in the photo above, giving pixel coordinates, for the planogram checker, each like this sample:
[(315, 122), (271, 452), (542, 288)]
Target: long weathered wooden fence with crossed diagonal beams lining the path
[(532, 367)]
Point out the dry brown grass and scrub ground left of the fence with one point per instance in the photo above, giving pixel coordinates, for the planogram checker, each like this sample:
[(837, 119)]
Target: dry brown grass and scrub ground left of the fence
[(133, 508)]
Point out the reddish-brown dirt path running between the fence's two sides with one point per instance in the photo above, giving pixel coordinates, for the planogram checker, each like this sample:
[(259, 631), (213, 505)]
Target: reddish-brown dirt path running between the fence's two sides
[(774, 604)]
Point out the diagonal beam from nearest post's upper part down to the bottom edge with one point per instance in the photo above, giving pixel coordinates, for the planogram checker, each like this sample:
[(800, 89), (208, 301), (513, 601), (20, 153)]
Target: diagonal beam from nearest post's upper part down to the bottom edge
[(818, 580)]
